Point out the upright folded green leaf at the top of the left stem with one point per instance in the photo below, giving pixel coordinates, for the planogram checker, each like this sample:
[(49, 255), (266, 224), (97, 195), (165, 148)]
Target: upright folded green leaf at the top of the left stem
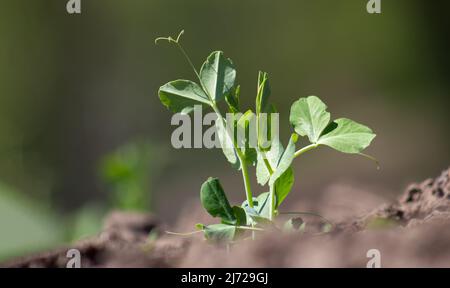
[(218, 75)]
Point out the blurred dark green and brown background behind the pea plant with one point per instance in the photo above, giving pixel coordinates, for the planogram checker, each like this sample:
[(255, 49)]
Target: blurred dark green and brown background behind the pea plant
[(82, 130)]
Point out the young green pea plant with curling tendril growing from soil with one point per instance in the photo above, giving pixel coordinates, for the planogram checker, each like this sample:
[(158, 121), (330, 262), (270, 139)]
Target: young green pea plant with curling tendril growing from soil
[(216, 82)]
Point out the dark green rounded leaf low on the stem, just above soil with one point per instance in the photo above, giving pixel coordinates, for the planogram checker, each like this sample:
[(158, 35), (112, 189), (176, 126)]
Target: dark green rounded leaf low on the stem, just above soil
[(215, 201)]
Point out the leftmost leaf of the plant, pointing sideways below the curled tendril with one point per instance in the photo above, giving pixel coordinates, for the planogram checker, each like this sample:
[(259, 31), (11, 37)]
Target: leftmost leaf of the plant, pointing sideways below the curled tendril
[(182, 95)]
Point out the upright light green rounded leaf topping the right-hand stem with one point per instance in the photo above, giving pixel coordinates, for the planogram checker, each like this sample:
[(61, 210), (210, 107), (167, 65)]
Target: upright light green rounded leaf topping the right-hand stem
[(309, 117)]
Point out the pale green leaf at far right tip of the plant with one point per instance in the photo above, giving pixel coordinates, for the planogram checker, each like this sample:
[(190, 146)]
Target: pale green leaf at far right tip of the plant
[(347, 136)]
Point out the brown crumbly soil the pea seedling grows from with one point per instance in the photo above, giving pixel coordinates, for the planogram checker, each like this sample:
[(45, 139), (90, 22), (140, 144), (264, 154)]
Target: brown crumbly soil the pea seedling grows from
[(413, 231)]
